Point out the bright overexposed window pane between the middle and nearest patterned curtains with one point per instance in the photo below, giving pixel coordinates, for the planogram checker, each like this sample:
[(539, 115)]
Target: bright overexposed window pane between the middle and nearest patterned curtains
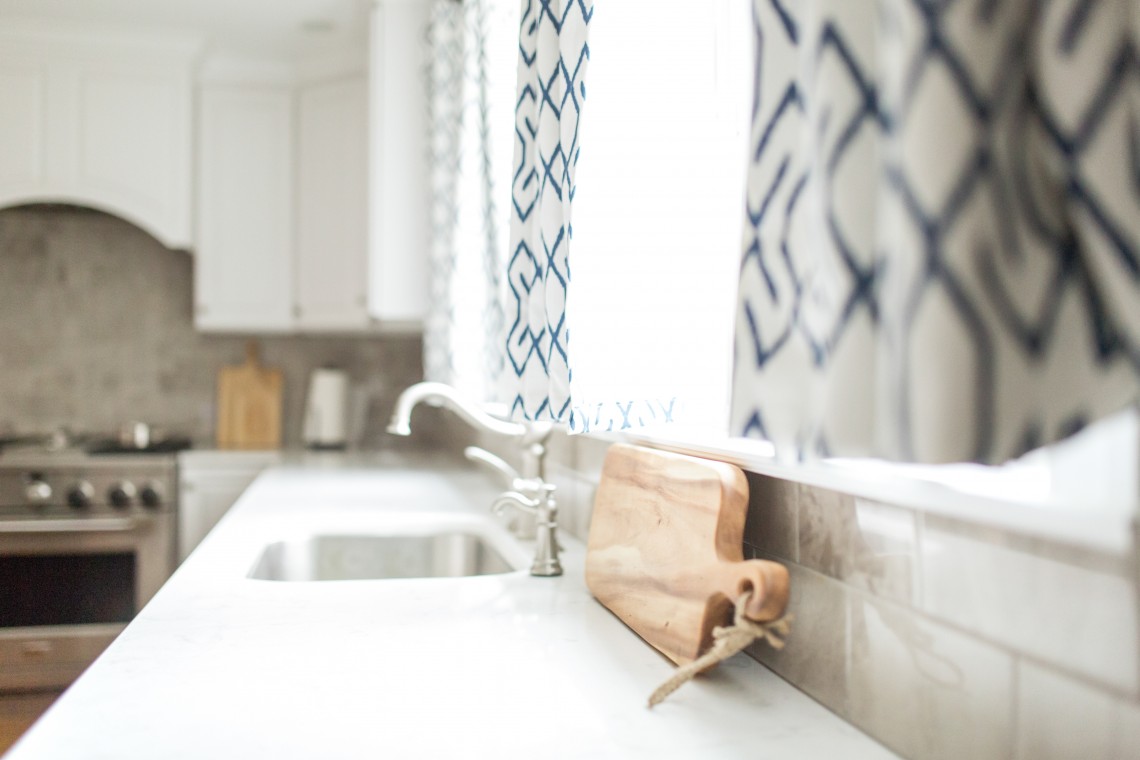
[(658, 210)]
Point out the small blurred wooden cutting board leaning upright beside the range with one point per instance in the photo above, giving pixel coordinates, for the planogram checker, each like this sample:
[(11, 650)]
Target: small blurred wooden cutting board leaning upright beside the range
[(250, 405)]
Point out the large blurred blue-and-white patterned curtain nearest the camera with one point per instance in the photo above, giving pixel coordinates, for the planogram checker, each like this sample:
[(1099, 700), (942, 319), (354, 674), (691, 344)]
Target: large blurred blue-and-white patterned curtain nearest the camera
[(942, 255)]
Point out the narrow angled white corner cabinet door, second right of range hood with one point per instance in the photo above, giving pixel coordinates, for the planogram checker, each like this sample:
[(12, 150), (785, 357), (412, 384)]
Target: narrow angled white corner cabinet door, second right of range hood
[(332, 214)]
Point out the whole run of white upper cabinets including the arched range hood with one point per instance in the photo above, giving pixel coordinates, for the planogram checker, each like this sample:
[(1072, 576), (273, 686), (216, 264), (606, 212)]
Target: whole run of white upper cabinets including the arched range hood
[(296, 175)]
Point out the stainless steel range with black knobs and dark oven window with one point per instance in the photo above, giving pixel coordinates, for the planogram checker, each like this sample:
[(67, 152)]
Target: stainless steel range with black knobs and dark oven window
[(86, 541)]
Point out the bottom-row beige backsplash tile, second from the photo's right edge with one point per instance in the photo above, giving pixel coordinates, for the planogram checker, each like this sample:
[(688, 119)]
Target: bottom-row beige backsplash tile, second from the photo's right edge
[(925, 690)]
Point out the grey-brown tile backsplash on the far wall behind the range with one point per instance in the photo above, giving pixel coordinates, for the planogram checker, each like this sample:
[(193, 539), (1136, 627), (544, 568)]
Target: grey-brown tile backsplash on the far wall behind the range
[(96, 330)]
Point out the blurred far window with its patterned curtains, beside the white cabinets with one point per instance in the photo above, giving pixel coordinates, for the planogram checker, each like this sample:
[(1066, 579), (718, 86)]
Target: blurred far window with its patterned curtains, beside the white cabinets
[(471, 92)]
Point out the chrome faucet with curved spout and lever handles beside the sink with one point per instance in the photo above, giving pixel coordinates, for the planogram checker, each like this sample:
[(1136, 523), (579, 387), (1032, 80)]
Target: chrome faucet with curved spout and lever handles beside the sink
[(528, 491)]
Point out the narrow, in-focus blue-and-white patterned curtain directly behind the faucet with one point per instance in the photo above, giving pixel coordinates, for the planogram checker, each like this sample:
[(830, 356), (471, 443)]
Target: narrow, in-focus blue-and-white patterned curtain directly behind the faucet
[(553, 56)]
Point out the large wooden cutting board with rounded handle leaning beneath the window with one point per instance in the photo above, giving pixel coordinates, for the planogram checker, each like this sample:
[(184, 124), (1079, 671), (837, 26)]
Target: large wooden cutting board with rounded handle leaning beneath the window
[(665, 551)]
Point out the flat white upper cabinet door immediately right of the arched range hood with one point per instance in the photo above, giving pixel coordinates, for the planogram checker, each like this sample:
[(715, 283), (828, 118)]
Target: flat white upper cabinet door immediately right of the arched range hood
[(243, 274)]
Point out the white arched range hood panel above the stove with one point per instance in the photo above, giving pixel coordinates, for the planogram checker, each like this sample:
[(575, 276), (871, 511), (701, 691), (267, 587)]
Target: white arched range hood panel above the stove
[(100, 124)]
